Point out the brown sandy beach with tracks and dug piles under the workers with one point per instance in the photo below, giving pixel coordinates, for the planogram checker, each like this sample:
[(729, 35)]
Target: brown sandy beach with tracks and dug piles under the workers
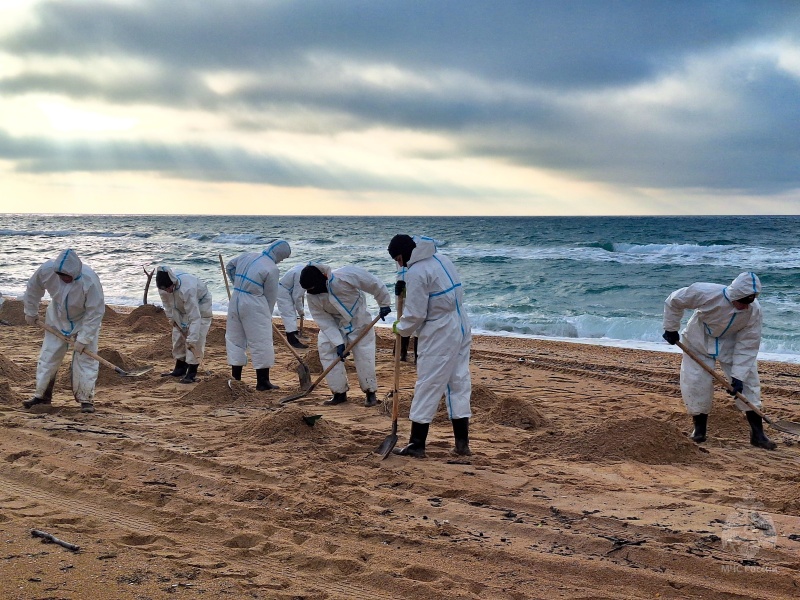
[(583, 483)]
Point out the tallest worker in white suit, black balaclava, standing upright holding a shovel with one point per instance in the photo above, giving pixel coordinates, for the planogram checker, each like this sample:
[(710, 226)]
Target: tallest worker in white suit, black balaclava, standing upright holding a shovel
[(434, 309)]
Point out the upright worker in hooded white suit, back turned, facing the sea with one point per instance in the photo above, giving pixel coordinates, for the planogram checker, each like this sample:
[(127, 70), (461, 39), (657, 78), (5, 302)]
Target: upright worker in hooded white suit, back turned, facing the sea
[(255, 279)]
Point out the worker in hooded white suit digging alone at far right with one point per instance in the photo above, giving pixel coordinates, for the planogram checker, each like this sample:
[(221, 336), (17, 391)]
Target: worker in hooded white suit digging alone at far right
[(725, 327)]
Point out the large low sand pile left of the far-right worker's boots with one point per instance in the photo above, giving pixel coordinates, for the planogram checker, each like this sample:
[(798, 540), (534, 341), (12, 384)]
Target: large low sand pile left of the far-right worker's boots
[(642, 439)]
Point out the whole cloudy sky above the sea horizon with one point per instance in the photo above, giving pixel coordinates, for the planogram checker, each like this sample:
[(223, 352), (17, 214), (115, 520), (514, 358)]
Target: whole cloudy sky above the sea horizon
[(406, 107)]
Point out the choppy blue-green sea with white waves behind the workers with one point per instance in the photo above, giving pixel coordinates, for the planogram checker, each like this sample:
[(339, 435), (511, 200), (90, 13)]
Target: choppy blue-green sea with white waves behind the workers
[(591, 280)]
